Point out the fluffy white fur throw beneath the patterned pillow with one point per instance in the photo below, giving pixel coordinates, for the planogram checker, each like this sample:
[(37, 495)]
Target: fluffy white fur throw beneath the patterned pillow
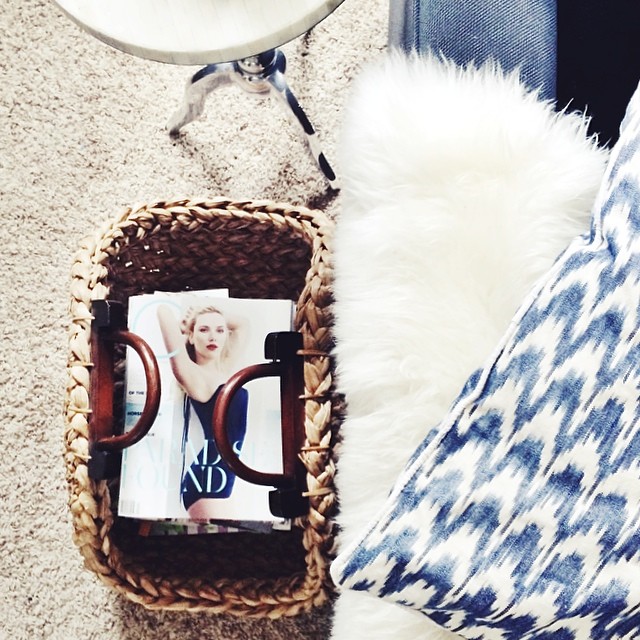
[(459, 190)]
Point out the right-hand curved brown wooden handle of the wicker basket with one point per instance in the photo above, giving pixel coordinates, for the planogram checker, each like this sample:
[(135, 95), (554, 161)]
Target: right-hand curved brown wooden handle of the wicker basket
[(287, 364)]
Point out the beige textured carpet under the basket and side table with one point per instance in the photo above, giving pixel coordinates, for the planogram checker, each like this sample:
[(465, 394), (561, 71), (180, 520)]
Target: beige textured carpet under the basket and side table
[(82, 137)]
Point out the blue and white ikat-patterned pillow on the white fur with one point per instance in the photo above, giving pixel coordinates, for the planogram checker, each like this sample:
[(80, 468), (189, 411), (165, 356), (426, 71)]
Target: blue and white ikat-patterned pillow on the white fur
[(521, 518)]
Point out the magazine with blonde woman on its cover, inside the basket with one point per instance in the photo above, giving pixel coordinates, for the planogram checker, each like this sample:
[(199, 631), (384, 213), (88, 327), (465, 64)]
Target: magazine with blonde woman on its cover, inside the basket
[(175, 472)]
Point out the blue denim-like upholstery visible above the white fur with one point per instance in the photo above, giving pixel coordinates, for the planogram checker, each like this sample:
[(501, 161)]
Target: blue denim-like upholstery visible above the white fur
[(516, 33)]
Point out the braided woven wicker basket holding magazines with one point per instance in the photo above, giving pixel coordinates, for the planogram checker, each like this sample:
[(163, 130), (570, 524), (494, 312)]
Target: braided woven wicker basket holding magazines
[(259, 250)]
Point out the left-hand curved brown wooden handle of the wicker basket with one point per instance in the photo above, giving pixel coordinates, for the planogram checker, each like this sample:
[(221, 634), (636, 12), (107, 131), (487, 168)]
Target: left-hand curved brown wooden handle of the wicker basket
[(108, 329)]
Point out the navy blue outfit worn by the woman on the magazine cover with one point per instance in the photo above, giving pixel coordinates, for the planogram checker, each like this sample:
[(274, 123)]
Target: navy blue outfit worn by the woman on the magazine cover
[(209, 476)]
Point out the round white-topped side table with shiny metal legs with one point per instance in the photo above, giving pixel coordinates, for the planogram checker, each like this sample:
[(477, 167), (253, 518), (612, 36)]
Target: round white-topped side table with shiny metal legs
[(237, 40)]
